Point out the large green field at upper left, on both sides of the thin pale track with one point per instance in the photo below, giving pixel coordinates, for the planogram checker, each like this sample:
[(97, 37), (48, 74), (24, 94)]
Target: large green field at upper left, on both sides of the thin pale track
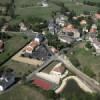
[(34, 10)]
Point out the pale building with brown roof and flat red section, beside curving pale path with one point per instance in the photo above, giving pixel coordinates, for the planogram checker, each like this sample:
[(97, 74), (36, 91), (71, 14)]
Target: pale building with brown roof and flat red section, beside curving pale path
[(51, 79)]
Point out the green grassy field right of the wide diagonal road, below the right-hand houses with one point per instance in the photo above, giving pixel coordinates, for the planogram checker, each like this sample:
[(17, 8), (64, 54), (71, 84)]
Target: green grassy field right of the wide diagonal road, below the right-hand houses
[(86, 58)]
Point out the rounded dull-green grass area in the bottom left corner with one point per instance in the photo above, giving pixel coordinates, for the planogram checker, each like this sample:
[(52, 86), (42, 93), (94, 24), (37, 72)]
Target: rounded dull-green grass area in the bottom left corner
[(23, 92)]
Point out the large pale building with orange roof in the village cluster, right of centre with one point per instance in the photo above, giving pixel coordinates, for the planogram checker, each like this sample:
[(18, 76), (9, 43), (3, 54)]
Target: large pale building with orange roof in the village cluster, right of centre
[(69, 34)]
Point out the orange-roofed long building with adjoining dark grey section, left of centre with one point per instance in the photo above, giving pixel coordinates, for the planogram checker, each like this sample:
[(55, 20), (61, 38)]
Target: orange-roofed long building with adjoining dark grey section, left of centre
[(37, 49)]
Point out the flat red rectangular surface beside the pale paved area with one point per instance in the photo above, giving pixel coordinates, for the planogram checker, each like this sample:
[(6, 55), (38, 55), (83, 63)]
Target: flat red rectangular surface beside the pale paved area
[(42, 83)]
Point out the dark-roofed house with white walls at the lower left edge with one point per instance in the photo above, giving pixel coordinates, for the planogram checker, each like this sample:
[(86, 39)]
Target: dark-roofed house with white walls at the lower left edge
[(6, 80)]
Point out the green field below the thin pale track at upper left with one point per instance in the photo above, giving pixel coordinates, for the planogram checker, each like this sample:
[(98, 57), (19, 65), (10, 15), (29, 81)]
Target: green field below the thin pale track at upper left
[(37, 11)]
